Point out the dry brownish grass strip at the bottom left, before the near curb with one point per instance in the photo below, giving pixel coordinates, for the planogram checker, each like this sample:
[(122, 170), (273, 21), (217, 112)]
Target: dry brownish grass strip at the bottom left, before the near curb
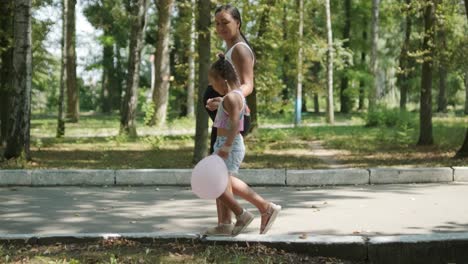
[(127, 251)]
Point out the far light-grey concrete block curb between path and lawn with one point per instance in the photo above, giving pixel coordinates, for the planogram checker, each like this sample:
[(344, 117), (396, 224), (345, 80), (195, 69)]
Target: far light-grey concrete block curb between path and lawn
[(255, 177)]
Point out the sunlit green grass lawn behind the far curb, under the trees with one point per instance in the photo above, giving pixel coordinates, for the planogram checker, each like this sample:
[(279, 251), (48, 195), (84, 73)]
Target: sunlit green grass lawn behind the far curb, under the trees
[(94, 143)]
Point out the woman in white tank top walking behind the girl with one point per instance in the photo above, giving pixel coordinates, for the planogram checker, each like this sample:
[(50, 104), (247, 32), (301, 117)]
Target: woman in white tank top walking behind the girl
[(240, 55)]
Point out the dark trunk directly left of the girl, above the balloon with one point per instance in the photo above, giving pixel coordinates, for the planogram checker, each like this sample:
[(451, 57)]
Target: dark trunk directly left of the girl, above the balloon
[(201, 133)]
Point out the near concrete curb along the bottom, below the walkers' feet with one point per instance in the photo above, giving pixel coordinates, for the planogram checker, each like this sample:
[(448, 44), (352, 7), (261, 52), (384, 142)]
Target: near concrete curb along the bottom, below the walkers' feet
[(428, 248)]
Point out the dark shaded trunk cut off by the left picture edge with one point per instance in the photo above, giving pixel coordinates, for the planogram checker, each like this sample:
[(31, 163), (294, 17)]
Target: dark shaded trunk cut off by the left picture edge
[(6, 62)]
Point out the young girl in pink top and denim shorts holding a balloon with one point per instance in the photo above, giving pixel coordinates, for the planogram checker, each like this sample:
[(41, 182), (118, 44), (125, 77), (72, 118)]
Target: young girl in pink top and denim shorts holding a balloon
[(229, 145)]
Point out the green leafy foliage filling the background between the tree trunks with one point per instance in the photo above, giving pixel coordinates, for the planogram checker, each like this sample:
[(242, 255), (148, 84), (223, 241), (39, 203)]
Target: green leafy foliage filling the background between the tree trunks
[(276, 67)]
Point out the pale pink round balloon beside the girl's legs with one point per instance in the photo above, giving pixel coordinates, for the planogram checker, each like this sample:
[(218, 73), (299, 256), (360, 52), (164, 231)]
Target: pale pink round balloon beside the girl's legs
[(210, 177)]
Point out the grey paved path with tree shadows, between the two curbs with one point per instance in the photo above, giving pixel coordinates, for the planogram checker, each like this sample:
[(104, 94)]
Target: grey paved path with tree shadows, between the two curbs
[(345, 210)]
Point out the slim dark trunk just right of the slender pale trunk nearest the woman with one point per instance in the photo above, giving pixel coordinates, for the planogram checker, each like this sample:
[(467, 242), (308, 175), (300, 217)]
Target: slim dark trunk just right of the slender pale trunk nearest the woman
[(344, 96)]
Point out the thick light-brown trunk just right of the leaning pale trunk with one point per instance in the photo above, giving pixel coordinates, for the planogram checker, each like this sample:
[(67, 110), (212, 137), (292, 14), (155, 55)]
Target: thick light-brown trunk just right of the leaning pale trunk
[(162, 65)]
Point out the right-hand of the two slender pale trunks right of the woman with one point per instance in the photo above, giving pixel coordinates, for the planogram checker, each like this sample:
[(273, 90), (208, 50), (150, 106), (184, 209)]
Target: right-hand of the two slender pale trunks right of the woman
[(375, 90)]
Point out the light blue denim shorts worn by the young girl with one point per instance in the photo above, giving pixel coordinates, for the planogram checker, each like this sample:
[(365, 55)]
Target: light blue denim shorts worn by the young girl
[(235, 156)]
